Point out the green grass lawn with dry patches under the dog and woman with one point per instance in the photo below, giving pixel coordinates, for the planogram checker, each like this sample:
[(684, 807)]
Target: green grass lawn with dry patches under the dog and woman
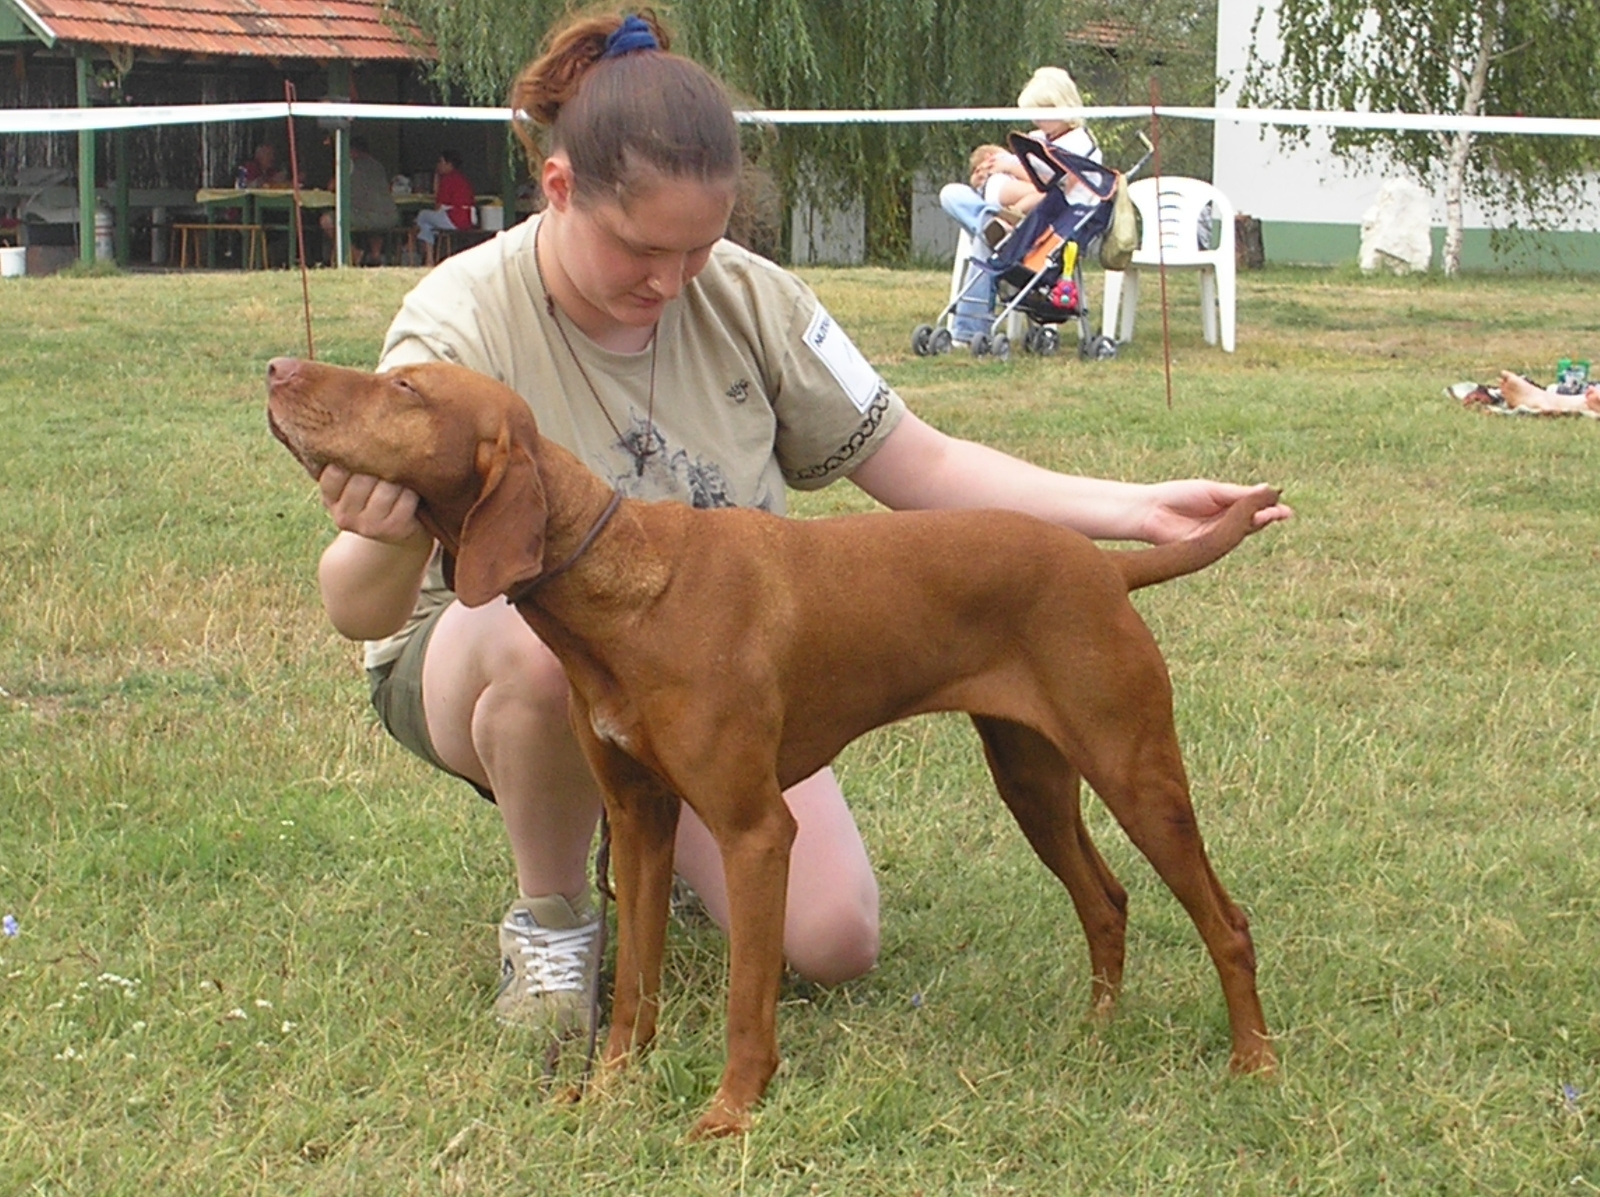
[(257, 942)]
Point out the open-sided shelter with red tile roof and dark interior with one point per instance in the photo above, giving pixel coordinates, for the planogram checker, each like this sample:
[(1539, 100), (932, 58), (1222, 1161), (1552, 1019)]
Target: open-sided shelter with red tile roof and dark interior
[(90, 54)]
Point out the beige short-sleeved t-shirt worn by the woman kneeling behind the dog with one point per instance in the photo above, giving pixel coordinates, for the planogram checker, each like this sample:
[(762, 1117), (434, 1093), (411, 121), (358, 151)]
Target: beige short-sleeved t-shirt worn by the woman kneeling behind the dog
[(756, 385)]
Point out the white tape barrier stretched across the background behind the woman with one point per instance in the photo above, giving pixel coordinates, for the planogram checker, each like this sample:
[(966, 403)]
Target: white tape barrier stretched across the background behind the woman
[(74, 121)]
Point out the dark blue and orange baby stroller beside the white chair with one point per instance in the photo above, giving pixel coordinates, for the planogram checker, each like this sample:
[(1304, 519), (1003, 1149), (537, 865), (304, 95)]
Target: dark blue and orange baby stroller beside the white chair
[(1039, 266)]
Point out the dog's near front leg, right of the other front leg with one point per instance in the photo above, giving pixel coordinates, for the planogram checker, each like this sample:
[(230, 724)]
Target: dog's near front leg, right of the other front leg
[(754, 836)]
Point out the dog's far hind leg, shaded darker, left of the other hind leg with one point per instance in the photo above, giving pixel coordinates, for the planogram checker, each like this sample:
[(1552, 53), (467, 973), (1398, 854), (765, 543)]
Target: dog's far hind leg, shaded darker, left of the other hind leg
[(1042, 790)]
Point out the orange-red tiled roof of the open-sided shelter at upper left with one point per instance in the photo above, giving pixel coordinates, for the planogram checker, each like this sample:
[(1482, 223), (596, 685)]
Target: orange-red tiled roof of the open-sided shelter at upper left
[(324, 30)]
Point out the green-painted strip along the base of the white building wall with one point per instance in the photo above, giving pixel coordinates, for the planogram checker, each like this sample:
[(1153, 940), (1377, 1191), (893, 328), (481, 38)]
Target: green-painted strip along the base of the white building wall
[(1305, 244)]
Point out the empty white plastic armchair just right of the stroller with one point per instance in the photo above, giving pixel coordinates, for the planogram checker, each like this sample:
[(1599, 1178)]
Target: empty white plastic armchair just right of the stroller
[(1172, 233)]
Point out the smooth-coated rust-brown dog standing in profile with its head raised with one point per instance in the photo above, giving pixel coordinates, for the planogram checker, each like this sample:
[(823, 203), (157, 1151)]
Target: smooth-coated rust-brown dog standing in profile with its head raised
[(710, 663)]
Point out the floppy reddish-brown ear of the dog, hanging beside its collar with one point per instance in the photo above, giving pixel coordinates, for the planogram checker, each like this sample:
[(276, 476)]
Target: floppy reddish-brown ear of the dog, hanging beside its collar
[(503, 537)]
